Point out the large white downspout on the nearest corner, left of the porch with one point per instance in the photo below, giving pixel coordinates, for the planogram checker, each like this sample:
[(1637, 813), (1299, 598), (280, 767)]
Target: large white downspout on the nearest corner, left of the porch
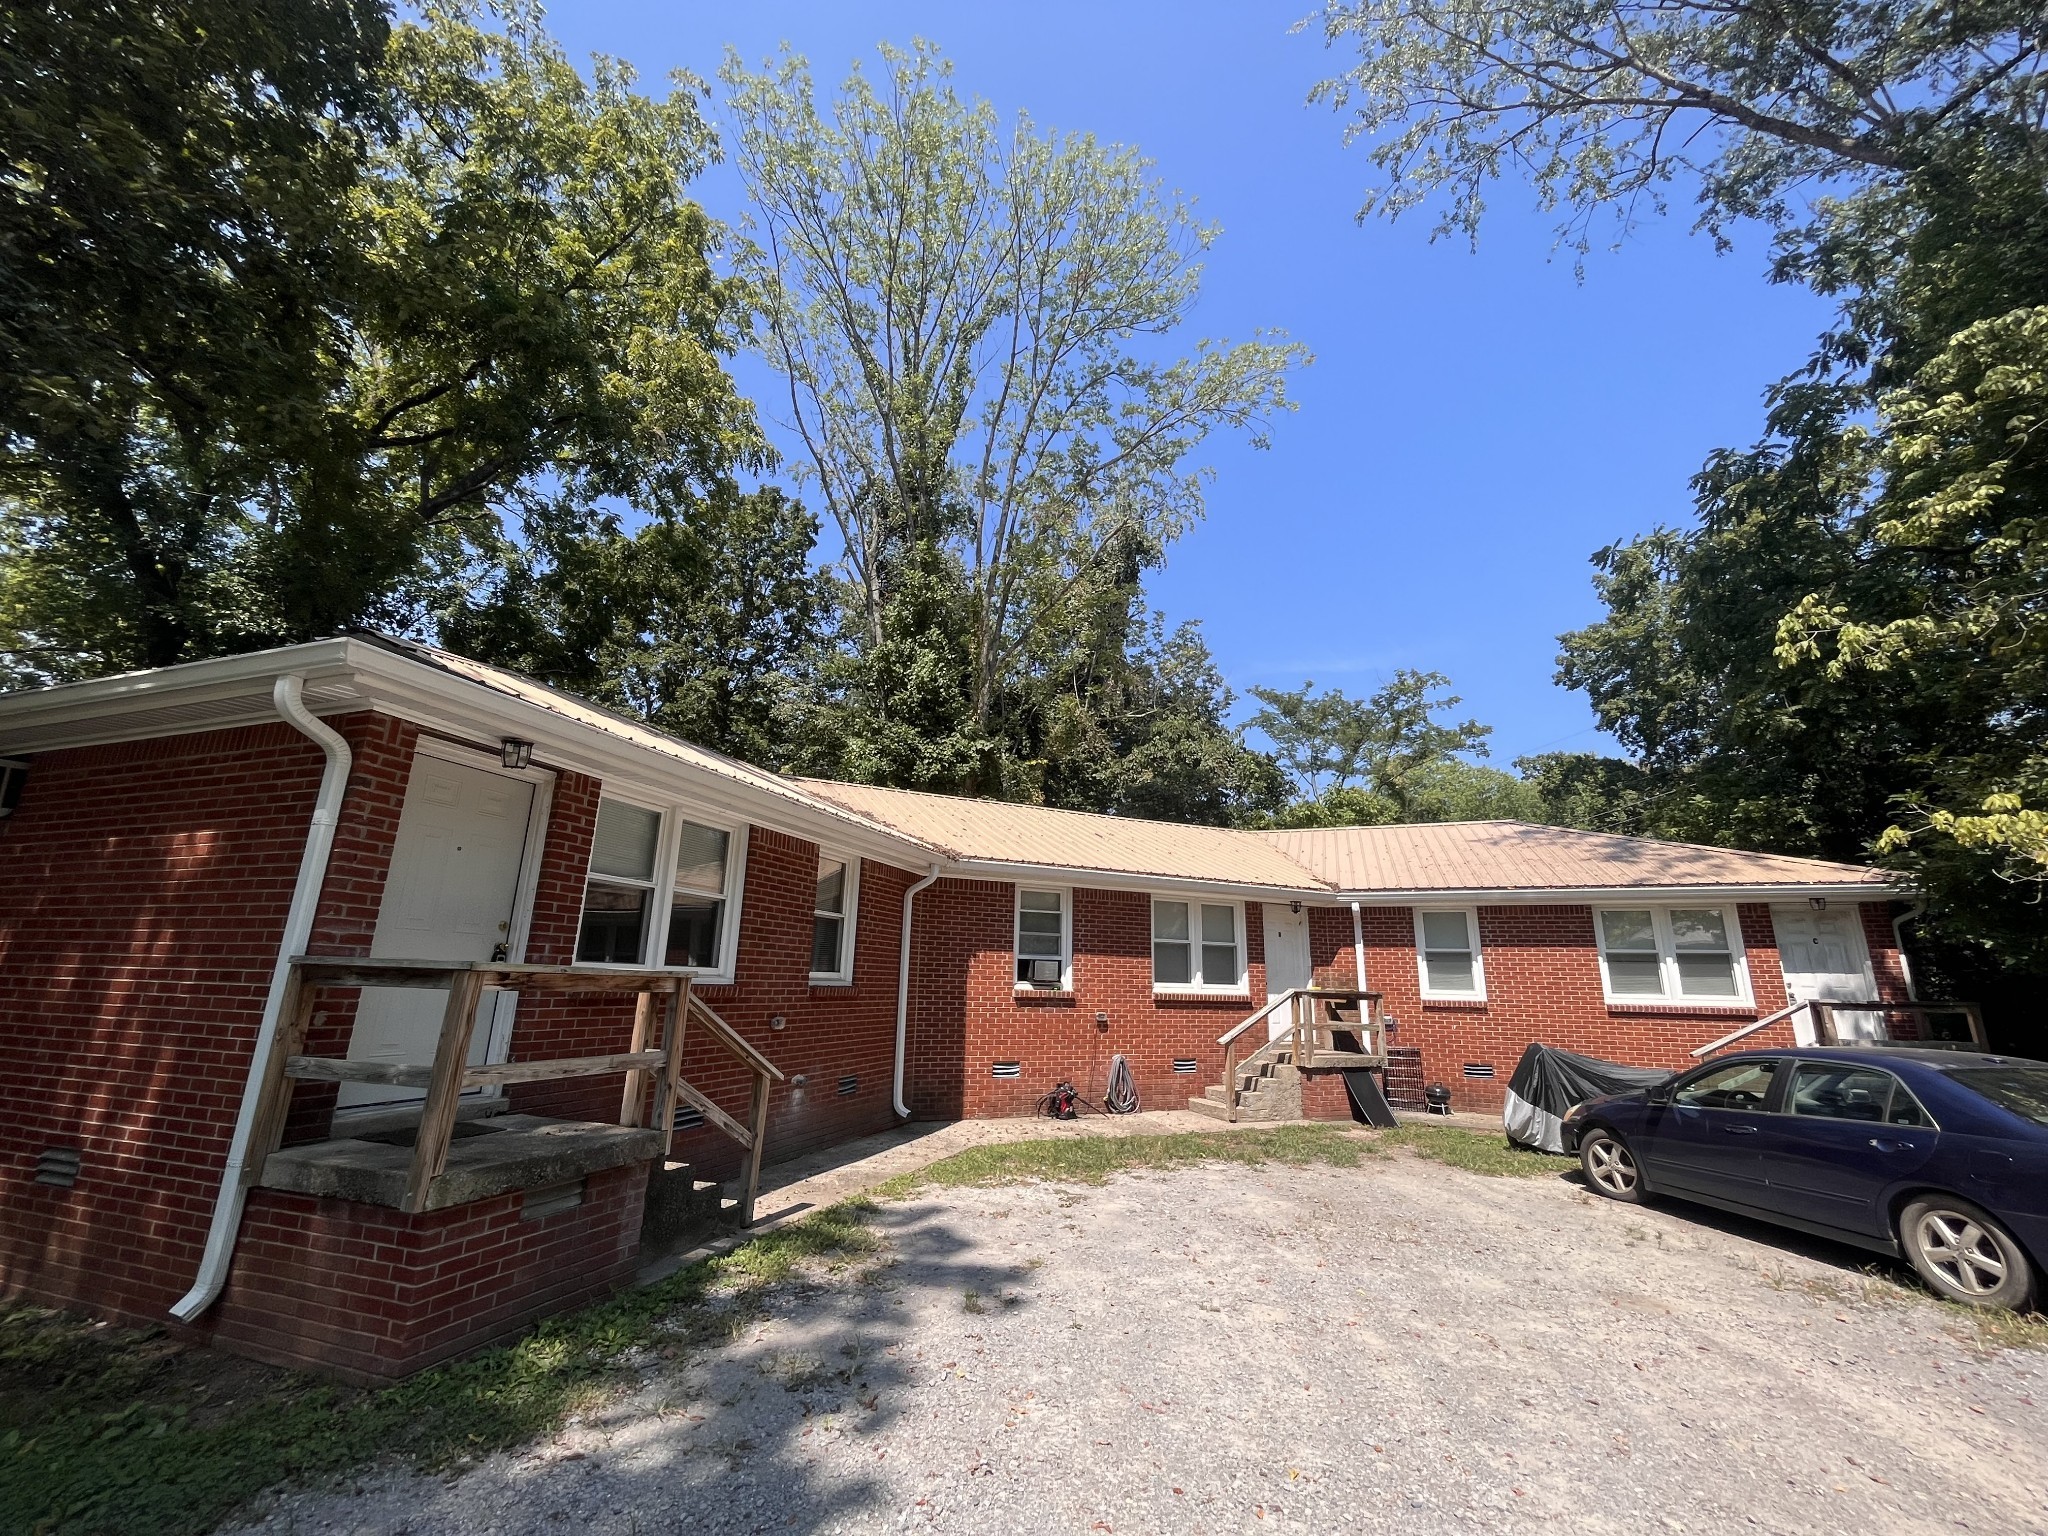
[(290, 699)]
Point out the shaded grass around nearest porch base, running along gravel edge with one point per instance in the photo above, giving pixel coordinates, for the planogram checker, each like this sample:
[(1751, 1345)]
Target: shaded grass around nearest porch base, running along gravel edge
[(120, 1449)]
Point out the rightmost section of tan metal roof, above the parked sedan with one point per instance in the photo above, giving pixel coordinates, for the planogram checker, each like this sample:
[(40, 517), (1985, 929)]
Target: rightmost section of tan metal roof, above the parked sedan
[(1521, 857)]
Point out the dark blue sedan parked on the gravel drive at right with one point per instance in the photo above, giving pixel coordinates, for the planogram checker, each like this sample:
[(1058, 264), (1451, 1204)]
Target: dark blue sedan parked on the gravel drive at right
[(1934, 1156)]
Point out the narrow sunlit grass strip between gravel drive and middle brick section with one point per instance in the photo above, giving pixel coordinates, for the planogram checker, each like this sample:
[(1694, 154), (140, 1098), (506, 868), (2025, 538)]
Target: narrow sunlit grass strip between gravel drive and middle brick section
[(1091, 1160)]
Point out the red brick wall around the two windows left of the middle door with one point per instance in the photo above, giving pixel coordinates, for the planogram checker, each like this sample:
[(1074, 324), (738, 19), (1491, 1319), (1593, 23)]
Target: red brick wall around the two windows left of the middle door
[(968, 1015)]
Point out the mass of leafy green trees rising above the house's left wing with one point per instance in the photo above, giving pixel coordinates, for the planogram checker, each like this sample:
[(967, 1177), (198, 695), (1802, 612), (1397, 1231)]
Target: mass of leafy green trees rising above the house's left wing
[(452, 282)]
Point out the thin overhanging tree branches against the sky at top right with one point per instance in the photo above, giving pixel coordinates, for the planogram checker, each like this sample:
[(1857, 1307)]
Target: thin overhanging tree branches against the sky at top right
[(1603, 105)]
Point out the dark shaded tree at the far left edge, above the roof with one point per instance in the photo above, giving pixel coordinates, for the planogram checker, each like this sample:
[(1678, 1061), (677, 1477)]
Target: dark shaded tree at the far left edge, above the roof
[(173, 222)]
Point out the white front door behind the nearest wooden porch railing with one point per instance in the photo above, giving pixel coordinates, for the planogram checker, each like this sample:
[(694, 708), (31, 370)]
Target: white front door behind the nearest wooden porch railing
[(454, 884)]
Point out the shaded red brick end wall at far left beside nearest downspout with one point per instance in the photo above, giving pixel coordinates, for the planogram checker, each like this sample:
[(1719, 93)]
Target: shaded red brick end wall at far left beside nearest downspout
[(142, 898)]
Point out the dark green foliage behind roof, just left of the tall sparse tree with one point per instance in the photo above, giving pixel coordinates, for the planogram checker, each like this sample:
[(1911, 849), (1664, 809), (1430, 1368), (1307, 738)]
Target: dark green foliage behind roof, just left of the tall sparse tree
[(708, 624)]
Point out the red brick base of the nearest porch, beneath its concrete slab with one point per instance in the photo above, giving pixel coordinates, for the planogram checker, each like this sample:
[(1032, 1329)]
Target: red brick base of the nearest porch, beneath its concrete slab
[(366, 1293)]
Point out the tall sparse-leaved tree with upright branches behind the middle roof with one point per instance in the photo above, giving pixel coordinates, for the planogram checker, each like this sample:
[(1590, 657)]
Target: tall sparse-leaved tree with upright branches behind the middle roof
[(972, 329)]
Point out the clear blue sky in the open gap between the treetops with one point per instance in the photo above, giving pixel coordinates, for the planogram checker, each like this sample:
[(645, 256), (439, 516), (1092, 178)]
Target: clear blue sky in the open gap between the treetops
[(1474, 427)]
